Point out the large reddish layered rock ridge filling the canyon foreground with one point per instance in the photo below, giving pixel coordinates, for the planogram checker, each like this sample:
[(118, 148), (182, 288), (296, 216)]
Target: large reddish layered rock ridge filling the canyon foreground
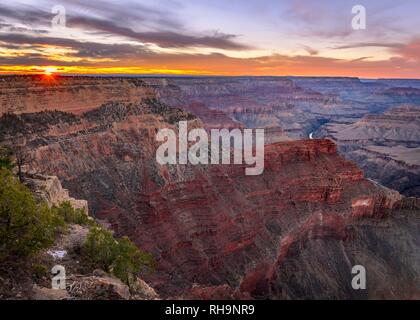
[(293, 232)]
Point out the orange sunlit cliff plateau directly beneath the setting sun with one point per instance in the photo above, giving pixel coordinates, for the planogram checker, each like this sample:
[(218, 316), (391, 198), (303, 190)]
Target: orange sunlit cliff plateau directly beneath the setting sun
[(73, 94)]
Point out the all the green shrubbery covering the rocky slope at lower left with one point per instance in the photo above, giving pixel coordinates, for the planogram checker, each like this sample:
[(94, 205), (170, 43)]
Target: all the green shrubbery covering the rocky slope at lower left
[(28, 227)]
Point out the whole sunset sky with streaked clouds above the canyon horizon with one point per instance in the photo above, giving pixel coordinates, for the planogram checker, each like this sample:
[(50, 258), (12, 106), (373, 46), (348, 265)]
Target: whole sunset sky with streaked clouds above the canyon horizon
[(217, 37)]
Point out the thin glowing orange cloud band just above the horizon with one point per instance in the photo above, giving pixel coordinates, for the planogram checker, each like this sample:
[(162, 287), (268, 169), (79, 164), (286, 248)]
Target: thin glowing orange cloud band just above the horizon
[(404, 65)]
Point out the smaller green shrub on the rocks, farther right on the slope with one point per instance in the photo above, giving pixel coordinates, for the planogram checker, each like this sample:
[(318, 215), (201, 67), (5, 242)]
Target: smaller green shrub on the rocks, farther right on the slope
[(119, 257)]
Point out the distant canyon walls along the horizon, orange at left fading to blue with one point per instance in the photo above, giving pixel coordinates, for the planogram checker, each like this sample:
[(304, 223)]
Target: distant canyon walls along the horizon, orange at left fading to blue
[(295, 105)]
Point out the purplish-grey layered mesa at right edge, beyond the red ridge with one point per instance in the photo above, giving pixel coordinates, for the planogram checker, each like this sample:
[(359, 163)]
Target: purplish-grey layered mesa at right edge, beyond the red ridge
[(385, 146)]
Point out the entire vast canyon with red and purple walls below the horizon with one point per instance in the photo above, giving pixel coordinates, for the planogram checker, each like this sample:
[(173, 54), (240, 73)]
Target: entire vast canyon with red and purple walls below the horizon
[(293, 232)]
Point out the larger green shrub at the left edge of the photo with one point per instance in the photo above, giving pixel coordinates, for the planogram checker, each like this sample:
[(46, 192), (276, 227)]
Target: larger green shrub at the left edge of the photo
[(25, 225)]
